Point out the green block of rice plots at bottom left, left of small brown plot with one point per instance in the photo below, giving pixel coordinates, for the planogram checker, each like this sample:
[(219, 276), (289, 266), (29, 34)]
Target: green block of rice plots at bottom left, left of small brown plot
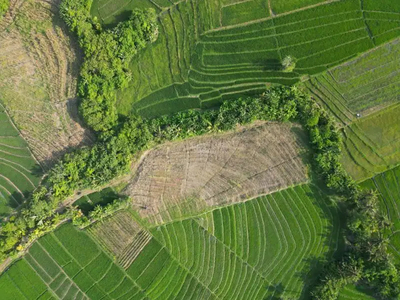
[(72, 265)]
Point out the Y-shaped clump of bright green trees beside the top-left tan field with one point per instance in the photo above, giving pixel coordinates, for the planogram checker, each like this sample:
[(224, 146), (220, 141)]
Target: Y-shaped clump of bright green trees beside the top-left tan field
[(107, 57)]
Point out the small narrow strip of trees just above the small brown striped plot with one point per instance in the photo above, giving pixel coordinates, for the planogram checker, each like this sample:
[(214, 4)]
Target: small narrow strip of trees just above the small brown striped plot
[(98, 213)]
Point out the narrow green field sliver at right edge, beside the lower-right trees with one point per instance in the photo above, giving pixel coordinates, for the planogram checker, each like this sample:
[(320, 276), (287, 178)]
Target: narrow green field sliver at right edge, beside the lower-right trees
[(387, 185)]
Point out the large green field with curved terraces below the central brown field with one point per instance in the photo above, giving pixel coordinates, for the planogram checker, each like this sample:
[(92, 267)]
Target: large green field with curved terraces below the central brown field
[(263, 239)]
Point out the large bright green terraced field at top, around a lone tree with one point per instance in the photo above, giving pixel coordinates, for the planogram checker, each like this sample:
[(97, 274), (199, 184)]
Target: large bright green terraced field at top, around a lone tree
[(221, 49)]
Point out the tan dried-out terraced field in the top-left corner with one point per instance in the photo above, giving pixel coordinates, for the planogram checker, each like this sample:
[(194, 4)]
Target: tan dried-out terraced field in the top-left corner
[(39, 67)]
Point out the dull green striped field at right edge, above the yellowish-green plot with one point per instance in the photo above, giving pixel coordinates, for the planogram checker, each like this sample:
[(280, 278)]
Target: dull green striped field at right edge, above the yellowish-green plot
[(362, 85)]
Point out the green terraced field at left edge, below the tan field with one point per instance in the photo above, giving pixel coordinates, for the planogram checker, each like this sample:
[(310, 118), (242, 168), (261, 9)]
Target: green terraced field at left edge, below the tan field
[(20, 174)]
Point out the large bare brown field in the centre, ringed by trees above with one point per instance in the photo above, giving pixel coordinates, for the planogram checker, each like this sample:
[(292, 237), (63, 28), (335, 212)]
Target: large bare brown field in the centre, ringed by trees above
[(179, 179)]
